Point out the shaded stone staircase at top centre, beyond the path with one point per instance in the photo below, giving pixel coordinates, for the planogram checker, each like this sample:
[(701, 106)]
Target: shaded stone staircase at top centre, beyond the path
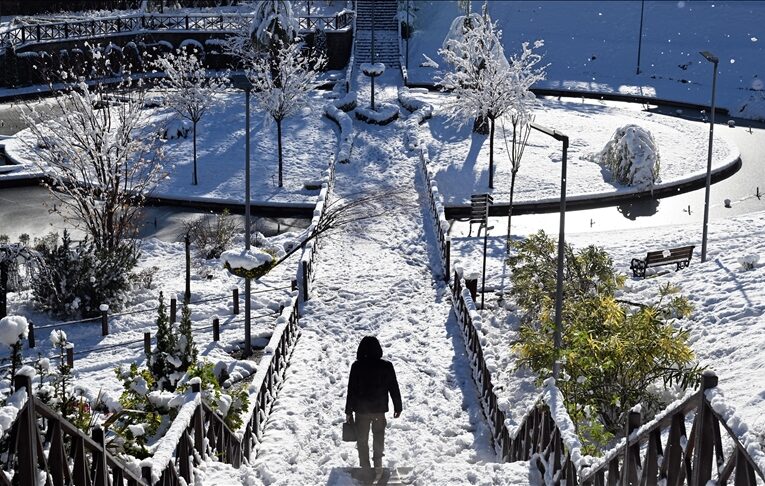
[(385, 28)]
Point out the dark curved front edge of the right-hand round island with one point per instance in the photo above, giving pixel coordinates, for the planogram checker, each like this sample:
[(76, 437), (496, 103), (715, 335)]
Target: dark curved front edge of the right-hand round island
[(590, 201)]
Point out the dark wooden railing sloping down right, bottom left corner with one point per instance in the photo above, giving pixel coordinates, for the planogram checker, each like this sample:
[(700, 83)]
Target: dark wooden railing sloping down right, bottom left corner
[(43, 442)]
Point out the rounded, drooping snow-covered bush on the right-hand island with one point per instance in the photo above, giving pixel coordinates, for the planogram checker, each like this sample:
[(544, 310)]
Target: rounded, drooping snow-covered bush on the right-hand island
[(631, 156)]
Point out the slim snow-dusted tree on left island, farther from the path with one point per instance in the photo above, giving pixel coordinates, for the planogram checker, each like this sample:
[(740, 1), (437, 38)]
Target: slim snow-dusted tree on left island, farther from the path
[(190, 89)]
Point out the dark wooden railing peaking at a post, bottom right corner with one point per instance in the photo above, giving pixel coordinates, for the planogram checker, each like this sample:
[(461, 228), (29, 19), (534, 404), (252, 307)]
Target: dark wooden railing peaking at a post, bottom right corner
[(690, 459)]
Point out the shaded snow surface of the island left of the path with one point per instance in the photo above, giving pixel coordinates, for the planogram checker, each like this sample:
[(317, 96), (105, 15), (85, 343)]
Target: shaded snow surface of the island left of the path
[(308, 143)]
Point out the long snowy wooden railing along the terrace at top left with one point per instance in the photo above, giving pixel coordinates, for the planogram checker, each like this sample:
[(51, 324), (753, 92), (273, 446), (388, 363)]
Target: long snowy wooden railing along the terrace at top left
[(84, 29)]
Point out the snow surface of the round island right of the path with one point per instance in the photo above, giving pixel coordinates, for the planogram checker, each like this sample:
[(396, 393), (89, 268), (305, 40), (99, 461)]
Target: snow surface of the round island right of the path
[(460, 158)]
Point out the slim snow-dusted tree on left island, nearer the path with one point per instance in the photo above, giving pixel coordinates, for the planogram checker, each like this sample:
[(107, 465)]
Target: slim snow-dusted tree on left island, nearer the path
[(282, 81)]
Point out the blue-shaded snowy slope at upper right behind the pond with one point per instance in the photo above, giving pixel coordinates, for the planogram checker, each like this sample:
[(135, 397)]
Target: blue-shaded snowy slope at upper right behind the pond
[(593, 46)]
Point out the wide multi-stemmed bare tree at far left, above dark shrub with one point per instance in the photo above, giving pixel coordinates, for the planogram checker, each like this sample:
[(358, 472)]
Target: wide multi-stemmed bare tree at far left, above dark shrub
[(100, 157)]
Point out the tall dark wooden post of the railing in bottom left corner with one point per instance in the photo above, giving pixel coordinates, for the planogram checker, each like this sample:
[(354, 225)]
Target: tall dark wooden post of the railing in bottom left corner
[(26, 433)]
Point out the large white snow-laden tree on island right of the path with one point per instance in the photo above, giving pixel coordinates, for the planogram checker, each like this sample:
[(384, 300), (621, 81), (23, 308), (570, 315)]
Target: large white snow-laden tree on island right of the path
[(479, 80)]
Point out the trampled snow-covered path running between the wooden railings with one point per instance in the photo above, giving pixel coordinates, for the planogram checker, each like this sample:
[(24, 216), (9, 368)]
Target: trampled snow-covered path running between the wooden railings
[(374, 277)]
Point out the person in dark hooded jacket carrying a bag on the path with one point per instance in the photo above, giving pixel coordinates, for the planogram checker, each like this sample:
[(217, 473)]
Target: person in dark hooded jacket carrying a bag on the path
[(371, 380)]
